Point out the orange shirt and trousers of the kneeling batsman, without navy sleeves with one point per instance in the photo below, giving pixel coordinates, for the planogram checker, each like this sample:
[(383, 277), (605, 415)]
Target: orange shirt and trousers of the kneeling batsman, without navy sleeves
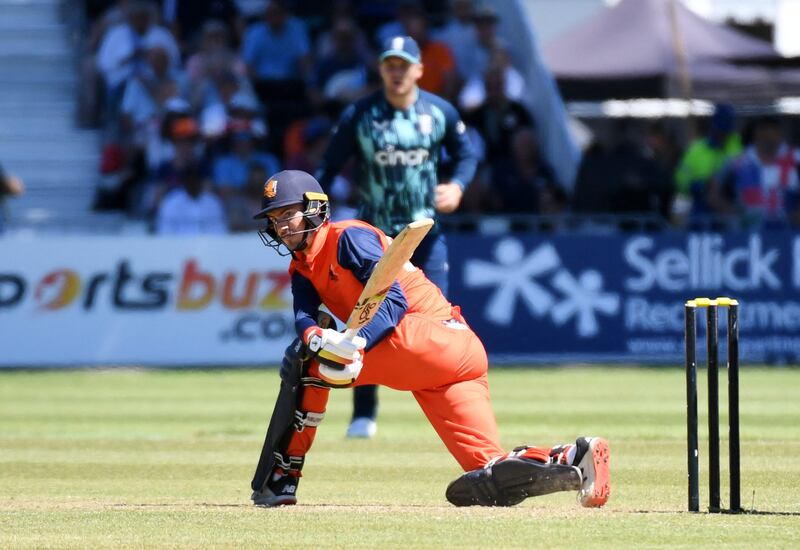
[(431, 352)]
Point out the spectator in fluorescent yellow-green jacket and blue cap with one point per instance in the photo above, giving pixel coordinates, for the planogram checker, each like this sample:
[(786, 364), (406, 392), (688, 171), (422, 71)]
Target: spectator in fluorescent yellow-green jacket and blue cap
[(702, 160)]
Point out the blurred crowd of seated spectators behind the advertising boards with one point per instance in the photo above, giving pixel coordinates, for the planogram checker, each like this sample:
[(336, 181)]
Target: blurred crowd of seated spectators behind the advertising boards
[(199, 101)]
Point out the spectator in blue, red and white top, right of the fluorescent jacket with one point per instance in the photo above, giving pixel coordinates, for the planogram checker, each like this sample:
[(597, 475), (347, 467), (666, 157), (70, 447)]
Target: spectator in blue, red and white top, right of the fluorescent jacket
[(762, 183)]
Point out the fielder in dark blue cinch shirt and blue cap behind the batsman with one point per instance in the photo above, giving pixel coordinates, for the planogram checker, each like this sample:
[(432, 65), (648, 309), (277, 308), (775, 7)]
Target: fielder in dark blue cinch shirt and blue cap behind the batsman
[(399, 136)]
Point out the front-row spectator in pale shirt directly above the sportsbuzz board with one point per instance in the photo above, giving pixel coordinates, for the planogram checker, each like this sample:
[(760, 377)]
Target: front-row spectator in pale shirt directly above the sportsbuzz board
[(190, 208)]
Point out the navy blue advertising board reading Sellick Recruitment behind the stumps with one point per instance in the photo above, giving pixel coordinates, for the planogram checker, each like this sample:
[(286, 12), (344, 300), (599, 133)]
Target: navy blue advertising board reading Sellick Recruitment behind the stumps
[(620, 297)]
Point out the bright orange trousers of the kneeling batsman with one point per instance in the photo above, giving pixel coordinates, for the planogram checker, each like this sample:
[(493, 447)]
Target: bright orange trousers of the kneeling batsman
[(444, 365)]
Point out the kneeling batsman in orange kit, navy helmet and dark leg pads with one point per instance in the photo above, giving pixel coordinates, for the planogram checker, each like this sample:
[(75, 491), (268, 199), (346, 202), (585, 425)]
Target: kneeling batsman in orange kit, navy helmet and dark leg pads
[(417, 342)]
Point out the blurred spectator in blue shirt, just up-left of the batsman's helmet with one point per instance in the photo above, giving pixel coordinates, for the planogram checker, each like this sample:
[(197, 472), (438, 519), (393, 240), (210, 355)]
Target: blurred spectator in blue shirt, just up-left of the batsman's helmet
[(231, 171)]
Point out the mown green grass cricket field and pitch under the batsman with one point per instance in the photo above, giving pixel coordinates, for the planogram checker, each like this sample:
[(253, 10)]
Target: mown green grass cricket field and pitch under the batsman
[(124, 458)]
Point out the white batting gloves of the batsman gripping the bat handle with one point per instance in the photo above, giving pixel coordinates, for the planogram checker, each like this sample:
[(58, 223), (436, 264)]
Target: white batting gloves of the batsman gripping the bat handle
[(340, 358)]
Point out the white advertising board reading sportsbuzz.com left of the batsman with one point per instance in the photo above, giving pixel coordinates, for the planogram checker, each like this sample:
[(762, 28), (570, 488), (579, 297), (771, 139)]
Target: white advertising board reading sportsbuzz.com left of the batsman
[(142, 301)]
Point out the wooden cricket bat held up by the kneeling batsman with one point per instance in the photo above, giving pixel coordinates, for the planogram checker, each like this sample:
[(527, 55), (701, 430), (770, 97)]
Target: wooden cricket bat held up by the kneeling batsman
[(386, 271)]
